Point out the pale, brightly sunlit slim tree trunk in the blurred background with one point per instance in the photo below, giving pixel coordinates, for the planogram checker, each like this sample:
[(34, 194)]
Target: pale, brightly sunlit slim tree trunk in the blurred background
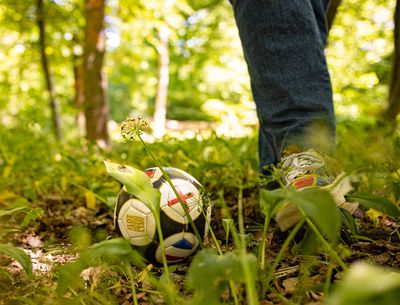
[(160, 111)]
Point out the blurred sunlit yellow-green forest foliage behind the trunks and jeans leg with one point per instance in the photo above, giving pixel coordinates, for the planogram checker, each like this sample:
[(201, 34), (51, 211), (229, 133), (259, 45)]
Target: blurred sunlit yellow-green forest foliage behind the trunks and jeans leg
[(208, 77)]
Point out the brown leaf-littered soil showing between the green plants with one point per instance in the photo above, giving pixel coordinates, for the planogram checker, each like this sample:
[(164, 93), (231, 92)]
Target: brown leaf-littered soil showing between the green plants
[(48, 244)]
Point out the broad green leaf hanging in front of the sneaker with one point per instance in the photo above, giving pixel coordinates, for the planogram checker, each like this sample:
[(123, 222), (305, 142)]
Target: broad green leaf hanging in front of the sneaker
[(319, 205)]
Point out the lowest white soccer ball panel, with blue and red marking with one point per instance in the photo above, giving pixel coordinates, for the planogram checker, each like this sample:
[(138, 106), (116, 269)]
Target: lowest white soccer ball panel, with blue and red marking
[(178, 247)]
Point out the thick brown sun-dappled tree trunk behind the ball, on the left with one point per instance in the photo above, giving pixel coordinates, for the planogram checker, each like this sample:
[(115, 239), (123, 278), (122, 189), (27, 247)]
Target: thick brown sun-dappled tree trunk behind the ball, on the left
[(94, 78)]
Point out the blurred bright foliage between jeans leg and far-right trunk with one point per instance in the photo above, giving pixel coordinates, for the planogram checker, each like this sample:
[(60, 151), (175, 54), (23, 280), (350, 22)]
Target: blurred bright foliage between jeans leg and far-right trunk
[(359, 57)]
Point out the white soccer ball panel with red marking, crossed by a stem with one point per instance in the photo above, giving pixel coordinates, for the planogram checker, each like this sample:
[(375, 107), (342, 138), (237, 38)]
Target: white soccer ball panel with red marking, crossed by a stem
[(190, 196)]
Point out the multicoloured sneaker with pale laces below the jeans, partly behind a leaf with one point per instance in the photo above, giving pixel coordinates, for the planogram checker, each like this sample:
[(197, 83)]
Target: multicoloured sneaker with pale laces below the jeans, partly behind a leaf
[(311, 169)]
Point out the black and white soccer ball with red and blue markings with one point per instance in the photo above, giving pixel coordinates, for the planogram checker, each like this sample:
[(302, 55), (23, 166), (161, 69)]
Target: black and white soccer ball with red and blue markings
[(136, 223)]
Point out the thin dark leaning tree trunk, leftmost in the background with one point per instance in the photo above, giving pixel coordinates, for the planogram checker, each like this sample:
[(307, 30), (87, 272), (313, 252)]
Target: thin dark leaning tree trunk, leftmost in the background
[(54, 107)]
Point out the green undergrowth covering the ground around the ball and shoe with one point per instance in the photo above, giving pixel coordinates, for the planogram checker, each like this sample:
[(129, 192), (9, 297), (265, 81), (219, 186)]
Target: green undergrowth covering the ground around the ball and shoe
[(48, 191)]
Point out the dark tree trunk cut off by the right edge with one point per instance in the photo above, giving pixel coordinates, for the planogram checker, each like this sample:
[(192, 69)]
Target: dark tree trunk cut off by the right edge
[(394, 90)]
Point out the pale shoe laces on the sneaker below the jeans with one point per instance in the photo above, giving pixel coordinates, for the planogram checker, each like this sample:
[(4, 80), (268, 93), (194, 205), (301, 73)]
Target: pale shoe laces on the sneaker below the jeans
[(301, 163)]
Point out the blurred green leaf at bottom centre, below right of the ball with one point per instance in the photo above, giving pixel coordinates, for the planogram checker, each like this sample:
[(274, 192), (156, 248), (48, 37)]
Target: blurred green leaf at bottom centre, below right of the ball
[(209, 274)]
